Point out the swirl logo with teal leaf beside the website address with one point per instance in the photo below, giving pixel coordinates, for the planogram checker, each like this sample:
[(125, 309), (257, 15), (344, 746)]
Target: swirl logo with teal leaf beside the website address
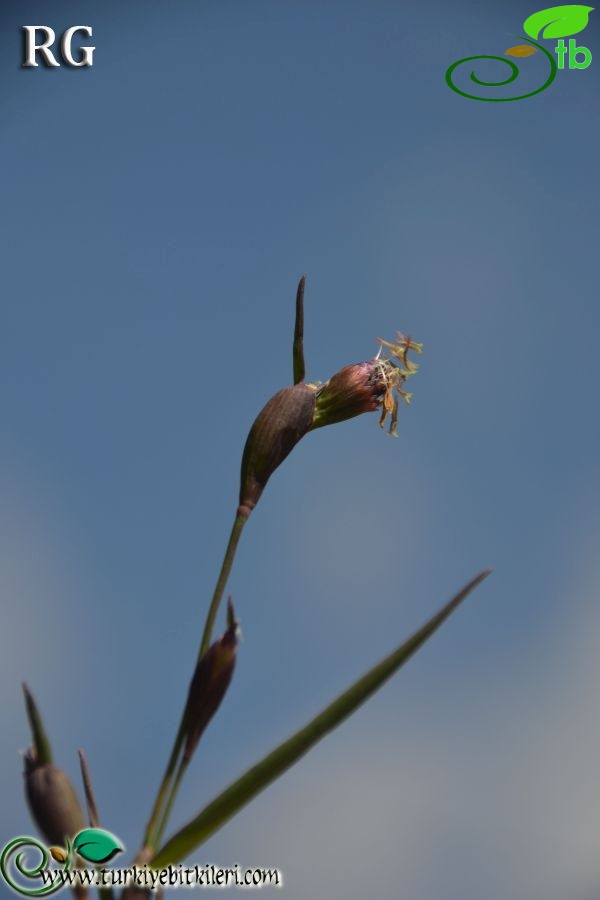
[(94, 845)]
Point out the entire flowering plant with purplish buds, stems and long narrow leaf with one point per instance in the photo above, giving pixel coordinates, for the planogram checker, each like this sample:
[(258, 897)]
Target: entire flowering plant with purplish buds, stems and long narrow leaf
[(377, 384)]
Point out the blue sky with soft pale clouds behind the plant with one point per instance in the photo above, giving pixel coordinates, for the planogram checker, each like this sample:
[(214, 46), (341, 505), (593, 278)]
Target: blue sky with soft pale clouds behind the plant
[(158, 210)]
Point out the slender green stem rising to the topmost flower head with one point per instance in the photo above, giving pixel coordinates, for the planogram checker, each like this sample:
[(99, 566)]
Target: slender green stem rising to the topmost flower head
[(169, 787)]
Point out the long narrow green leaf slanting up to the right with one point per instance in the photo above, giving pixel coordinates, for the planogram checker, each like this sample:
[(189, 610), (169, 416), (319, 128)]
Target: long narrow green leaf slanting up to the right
[(238, 794)]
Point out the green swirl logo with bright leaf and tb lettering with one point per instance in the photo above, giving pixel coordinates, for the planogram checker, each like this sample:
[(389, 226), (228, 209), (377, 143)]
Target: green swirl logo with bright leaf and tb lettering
[(555, 22)]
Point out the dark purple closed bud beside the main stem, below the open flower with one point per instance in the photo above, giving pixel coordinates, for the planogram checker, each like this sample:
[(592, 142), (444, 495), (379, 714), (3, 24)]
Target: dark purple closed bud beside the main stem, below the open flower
[(209, 684)]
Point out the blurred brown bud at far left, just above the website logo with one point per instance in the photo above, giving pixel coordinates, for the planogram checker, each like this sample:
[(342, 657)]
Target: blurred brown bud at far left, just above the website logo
[(52, 800)]
